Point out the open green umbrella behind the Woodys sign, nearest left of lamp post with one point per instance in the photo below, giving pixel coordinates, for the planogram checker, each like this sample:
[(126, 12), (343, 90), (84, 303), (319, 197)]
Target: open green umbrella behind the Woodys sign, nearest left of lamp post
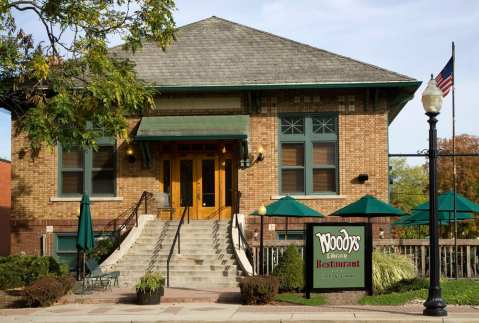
[(368, 206)]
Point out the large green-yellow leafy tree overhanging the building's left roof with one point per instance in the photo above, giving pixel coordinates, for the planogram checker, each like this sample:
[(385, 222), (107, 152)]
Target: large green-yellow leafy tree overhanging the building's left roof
[(56, 89)]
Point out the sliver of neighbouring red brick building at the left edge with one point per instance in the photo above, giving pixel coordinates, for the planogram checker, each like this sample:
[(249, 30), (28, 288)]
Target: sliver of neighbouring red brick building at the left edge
[(5, 202)]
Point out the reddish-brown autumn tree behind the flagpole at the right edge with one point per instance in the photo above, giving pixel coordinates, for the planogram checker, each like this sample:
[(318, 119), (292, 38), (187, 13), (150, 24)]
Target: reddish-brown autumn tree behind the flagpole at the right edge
[(467, 175)]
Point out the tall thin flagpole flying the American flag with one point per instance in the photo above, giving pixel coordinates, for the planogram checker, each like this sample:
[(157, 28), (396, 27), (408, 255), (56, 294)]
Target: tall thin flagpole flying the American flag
[(454, 156)]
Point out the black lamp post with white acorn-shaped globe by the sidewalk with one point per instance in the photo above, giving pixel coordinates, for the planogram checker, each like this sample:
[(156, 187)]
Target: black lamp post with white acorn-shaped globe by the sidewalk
[(432, 101)]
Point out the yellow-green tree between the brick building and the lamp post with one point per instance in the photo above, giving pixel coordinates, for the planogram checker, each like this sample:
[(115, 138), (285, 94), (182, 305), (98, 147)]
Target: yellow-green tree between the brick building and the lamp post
[(410, 184)]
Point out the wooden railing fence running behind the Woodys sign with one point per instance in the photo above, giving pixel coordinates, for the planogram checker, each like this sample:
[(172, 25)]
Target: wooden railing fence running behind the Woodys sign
[(417, 249)]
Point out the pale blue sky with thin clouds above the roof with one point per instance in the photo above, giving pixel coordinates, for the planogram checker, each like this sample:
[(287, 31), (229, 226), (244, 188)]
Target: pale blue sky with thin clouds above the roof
[(411, 37)]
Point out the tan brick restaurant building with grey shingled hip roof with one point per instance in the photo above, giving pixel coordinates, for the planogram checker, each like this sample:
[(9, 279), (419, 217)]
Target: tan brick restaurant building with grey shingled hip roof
[(240, 110)]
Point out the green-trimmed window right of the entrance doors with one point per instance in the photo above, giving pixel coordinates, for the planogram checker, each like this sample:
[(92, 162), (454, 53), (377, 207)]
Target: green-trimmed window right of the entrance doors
[(309, 154)]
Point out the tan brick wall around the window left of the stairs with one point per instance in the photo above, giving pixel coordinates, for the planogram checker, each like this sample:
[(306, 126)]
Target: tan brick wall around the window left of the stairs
[(34, 193)]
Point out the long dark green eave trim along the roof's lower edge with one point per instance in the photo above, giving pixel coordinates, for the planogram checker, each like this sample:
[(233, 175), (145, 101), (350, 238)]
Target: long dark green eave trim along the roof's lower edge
[(287, 86)]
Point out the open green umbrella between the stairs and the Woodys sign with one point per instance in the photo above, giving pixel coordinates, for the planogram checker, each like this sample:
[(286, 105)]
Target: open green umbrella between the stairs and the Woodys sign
[(289, 207)]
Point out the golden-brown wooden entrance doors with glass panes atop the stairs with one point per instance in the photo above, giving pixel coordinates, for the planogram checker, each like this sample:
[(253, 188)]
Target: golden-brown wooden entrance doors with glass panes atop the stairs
[(203, 182)]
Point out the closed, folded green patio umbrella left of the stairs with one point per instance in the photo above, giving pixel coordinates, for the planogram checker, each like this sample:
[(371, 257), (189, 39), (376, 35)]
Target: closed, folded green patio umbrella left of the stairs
[(85, 237)]
